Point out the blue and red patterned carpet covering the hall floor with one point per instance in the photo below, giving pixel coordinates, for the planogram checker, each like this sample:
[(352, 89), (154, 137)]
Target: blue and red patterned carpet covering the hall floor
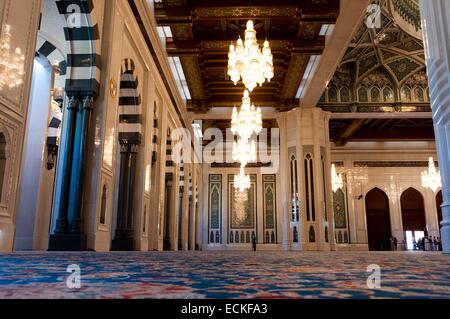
[(225, 275)]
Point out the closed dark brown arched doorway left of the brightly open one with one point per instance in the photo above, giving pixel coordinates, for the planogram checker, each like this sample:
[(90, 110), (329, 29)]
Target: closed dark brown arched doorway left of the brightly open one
[(378, 220)]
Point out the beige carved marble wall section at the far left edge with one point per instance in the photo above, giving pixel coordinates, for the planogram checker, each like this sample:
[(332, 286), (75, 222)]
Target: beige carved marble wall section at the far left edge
[(23, 17)]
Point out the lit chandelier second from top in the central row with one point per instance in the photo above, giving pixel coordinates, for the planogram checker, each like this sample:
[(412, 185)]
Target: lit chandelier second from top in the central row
[(248, 120)]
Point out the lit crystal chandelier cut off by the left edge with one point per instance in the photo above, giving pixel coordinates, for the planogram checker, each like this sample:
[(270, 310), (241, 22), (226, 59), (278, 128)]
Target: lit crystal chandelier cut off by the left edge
[(11, 64)]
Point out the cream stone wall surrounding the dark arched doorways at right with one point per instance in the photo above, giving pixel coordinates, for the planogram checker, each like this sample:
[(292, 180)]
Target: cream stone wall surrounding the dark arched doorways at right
[(393, 168)]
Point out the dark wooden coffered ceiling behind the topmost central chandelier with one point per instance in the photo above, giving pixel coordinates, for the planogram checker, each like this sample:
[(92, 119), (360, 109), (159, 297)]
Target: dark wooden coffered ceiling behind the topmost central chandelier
[(203, 31)]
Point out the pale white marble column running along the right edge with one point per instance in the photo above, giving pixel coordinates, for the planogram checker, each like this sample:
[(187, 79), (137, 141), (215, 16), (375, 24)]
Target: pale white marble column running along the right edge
[(436, 29)]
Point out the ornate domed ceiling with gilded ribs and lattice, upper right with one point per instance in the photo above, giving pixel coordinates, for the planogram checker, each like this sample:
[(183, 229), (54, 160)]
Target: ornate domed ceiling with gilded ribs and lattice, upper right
[(376, 72)]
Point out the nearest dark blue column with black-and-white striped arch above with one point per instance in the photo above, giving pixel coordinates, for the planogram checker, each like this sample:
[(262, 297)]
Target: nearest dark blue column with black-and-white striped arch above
[(82, 87)]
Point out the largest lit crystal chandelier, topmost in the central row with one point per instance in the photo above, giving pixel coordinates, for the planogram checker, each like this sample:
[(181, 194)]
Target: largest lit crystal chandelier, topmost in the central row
[(247, 61)]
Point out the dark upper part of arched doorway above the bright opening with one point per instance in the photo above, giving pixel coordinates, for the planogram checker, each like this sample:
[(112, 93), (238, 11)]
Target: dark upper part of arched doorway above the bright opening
[(413, 210)]
